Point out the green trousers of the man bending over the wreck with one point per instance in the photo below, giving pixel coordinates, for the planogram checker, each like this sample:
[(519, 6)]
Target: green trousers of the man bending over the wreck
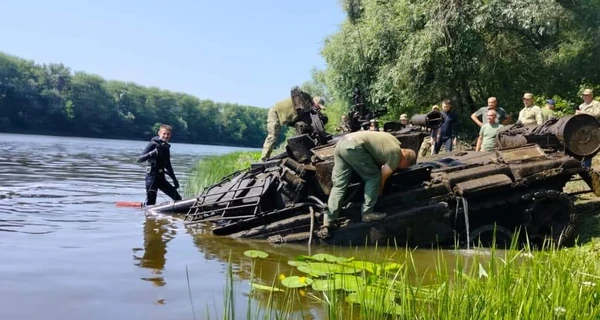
[(351, 155)]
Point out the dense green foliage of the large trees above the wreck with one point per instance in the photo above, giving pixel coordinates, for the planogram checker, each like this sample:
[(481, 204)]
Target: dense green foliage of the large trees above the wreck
[(409, 55)]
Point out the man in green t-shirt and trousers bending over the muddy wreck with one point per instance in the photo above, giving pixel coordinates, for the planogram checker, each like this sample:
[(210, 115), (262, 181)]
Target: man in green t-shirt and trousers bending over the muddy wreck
[(374, 156)]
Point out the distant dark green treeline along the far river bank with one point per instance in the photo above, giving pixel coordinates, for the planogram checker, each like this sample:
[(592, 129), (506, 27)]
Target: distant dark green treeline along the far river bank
[(51, 99)]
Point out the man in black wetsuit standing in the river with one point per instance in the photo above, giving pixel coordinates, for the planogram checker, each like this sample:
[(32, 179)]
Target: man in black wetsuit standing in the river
[(157, 155)]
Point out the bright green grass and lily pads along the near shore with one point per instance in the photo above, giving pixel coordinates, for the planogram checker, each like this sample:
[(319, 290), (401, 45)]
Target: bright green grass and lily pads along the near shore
[(477, 284)]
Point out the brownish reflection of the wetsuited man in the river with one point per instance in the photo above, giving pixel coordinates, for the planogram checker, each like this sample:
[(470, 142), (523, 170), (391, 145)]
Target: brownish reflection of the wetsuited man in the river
[(158, 232)]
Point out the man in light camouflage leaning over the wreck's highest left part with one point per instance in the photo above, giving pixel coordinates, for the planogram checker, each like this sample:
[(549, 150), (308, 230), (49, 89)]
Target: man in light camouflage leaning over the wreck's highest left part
[(283, 113)]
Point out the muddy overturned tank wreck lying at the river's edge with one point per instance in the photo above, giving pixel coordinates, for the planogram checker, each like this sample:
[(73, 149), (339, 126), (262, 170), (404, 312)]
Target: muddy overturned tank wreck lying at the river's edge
[(463, 196)]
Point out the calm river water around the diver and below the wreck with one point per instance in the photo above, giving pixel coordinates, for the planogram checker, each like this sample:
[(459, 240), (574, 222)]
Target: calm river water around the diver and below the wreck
[(67, 252)]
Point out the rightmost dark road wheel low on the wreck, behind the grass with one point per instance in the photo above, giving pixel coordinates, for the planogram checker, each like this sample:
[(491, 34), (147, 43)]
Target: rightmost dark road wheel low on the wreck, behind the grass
[(549, 214)]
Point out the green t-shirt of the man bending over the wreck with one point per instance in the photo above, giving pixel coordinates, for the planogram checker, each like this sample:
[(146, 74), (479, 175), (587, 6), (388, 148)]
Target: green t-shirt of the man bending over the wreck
[(382, 146)]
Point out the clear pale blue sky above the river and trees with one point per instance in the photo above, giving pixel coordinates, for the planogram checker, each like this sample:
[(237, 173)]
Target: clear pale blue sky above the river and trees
[(238, 51)]
